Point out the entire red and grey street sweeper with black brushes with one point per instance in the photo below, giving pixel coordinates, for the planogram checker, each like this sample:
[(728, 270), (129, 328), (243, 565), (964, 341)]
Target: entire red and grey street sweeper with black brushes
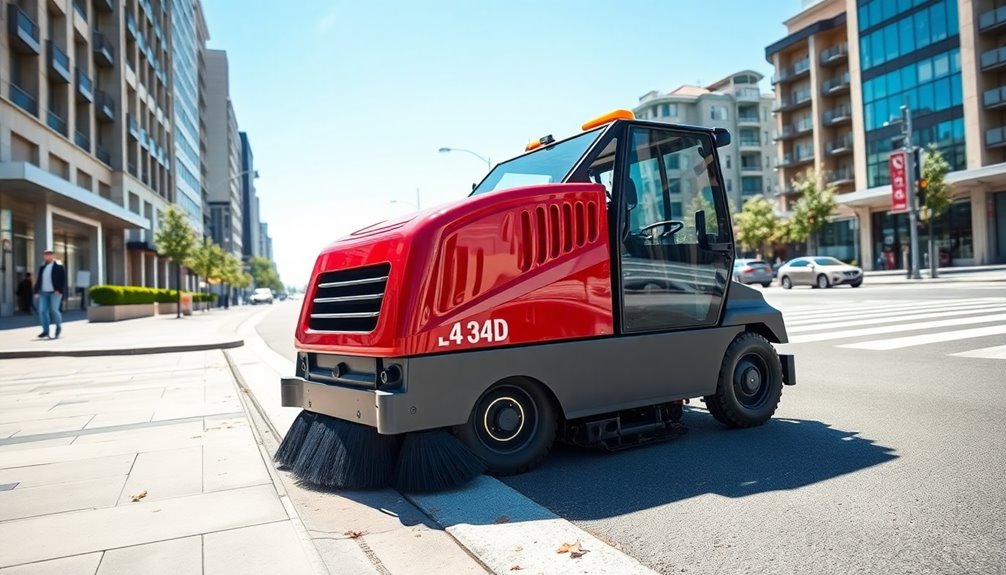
[(582, 292)]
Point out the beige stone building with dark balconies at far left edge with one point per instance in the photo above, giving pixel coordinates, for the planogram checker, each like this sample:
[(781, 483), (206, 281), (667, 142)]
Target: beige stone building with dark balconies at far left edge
[(86, 140)]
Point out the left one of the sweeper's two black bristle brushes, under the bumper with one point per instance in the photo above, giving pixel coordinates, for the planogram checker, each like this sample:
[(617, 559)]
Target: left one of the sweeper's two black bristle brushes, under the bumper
[(347, 456)]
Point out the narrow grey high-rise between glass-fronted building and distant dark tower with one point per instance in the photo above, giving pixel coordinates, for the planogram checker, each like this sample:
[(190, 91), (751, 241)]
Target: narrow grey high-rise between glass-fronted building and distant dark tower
[(224, 157)]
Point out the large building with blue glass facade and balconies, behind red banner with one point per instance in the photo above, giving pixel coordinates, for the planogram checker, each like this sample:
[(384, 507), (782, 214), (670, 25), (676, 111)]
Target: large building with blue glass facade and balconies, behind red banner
[(845, 72)]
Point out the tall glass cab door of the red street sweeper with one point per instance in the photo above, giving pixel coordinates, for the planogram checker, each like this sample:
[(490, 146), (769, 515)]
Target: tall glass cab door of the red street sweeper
[(675, 238)]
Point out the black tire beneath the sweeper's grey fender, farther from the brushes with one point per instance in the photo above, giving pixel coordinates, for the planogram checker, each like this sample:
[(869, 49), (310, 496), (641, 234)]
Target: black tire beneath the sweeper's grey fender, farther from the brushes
[(752, 350)]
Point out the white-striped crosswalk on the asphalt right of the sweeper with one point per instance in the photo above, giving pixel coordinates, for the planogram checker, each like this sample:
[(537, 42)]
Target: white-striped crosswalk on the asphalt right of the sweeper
[(898, 324)]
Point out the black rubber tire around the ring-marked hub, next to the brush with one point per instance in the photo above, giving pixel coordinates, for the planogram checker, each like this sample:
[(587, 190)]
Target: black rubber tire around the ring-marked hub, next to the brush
[(533, 399)]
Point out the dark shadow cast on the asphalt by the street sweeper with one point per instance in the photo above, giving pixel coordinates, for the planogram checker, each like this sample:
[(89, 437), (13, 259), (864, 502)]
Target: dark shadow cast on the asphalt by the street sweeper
[(783, 455)]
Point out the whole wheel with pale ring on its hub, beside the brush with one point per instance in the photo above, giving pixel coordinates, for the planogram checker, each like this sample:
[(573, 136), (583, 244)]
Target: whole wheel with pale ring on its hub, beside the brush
[(512, 429)]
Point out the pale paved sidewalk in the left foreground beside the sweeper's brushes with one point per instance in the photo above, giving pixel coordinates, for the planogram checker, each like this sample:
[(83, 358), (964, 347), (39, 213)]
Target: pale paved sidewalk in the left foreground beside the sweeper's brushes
[(138, 465)]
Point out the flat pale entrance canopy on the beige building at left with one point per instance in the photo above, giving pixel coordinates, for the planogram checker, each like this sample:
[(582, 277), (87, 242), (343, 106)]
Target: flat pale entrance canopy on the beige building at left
[(31, 183)]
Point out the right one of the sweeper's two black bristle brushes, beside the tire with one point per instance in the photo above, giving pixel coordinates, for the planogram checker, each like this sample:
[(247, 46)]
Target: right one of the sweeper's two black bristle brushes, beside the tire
[(435, 461)]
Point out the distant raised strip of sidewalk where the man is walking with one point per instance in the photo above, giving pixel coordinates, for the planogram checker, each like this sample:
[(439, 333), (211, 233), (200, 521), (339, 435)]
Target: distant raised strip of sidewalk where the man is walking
[(215, 329)]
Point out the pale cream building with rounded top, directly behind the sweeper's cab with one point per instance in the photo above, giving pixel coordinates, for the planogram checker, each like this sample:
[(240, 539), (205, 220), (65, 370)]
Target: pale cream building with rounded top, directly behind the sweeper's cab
[(737, 104)]
